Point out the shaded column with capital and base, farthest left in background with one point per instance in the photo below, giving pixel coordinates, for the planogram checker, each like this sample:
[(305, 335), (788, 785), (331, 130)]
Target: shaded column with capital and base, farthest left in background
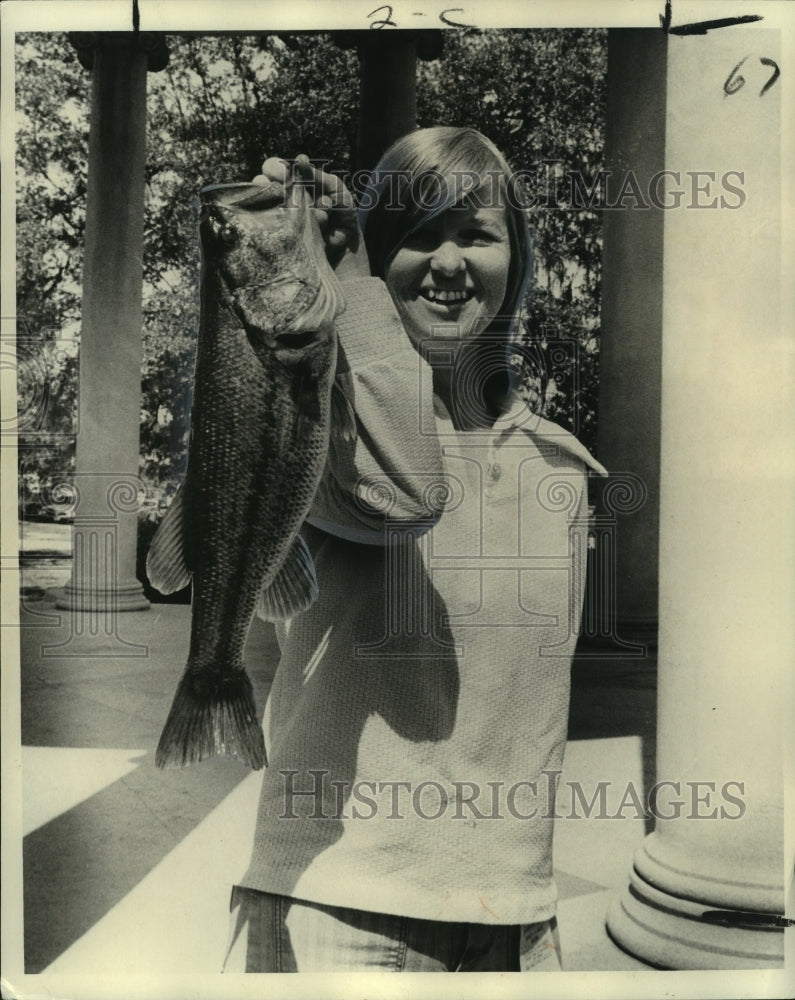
[(103, 579)]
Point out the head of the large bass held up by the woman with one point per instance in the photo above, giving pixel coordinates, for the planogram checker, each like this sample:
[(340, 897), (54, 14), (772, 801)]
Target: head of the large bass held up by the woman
[(268, 255)]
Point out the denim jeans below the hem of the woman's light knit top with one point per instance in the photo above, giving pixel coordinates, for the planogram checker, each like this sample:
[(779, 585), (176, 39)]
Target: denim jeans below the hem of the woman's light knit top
[(272, 933)]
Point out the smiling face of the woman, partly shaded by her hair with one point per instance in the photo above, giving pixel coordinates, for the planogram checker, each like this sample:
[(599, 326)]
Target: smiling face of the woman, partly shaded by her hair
[(448, 279)]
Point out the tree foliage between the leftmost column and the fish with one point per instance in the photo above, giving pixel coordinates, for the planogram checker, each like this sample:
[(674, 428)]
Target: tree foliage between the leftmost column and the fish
[(221, 106)]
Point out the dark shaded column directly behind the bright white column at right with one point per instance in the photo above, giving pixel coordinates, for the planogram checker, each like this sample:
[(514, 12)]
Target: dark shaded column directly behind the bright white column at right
[(631, 338)]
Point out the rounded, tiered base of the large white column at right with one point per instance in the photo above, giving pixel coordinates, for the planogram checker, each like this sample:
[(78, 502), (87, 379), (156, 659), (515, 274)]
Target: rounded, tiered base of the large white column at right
[(669, 932)]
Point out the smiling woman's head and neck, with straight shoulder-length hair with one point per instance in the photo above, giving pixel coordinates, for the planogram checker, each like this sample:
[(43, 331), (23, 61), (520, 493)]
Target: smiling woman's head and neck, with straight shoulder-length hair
[(444, 227)]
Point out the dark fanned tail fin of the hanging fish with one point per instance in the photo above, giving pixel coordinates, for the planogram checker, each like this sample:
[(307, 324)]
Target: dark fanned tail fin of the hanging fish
[(212, 715)]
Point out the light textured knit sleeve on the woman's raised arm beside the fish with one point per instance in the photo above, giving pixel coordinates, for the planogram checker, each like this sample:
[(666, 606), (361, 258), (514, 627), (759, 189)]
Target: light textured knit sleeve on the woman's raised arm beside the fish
[(388, 468)]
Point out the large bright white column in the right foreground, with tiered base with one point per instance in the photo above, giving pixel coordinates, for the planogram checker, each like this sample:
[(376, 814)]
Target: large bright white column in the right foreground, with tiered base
[(707, 886)]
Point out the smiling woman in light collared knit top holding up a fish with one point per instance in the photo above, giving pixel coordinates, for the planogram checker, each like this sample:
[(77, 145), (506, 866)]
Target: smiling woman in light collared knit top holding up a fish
[(417, 720)]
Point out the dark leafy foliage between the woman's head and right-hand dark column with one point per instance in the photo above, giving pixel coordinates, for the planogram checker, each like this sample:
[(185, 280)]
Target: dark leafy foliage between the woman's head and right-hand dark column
[(540, 96)]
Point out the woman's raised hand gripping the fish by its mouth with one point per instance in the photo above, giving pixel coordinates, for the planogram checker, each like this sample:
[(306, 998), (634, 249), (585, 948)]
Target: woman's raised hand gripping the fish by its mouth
[(334, 209)]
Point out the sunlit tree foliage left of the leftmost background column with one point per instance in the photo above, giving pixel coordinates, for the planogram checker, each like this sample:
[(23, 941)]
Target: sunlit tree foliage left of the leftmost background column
[(52, 145)]
